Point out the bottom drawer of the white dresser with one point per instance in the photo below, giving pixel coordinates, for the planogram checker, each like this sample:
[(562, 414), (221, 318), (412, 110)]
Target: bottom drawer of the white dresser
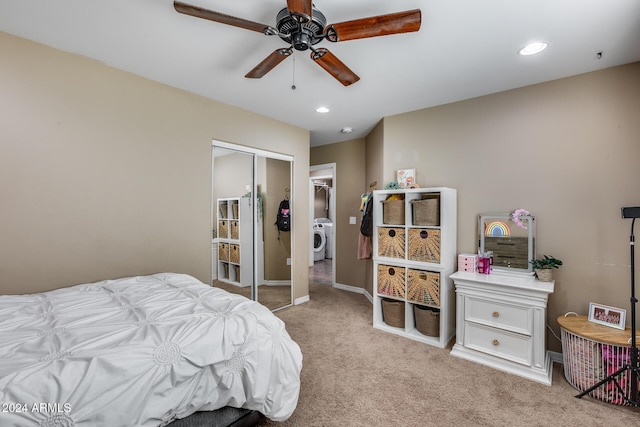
[(506, 345)]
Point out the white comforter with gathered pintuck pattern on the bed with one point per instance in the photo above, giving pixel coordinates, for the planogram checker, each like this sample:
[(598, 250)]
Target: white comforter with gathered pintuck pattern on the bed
[(141, 351)]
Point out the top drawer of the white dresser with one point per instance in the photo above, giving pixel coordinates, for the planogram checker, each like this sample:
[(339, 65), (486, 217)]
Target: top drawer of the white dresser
[(511, 317)]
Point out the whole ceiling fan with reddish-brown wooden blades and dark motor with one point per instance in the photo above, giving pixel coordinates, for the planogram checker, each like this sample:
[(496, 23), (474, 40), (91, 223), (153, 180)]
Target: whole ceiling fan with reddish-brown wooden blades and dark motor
[(302, 26)]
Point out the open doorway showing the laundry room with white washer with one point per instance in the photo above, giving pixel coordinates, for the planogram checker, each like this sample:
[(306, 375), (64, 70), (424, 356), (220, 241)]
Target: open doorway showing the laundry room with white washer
[(322, 189)]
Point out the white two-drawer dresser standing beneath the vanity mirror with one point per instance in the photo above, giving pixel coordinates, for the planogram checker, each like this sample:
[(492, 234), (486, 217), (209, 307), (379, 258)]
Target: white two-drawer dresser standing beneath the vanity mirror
[(500, 322)]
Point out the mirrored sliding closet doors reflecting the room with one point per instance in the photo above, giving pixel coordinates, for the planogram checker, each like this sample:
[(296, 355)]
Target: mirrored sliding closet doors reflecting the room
[(249, 256)]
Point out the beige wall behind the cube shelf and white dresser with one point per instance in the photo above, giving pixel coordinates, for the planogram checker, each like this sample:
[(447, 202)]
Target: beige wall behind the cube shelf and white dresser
[(567, 150)]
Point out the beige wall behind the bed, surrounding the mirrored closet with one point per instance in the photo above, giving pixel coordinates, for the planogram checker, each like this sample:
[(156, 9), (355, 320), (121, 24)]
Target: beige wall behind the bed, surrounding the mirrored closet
[(104, 174)]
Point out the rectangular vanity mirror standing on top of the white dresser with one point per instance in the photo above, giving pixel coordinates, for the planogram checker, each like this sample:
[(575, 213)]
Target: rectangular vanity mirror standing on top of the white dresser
[(505, 220)]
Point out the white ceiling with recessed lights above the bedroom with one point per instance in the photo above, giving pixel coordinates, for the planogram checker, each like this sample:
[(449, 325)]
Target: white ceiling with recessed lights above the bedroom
[(464, 49)]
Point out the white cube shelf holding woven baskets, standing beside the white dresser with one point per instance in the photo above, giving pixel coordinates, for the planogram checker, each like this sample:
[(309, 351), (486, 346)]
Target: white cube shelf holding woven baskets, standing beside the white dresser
[(413, 262)]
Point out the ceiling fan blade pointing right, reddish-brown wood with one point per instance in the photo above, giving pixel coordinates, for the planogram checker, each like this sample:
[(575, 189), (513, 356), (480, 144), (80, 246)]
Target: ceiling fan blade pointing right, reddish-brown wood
[(381, 25)]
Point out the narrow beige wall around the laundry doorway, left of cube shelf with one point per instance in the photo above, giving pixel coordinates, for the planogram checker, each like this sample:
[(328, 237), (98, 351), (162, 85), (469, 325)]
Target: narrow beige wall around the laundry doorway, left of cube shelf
[(349, 158)]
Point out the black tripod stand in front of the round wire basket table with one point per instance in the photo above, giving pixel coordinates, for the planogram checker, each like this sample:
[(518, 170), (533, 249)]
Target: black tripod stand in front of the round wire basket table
[(632, 367)]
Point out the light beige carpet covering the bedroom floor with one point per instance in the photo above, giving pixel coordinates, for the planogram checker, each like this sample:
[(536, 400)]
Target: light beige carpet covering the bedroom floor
[(354, 375)]
